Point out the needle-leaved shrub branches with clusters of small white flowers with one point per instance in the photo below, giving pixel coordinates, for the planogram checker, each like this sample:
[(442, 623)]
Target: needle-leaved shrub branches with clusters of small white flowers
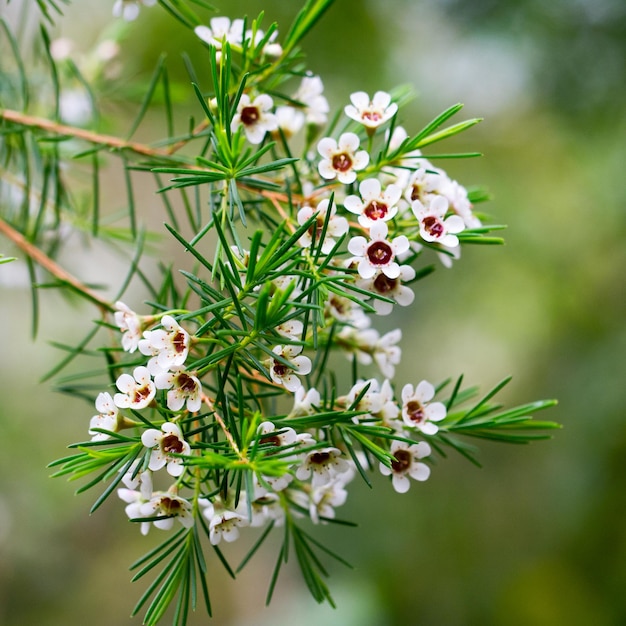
[(227, 390)]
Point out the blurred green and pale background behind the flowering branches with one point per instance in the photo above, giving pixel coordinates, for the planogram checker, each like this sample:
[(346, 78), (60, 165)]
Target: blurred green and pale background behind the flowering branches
[(536, 537)]
